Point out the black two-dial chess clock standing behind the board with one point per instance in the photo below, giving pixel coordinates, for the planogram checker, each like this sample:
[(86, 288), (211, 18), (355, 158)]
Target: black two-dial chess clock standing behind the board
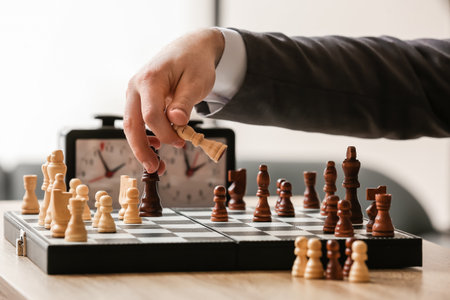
[(99, 156)]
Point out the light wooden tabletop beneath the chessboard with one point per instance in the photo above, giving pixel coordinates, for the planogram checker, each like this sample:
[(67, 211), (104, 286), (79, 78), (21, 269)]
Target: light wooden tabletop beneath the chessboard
[(20, 278)]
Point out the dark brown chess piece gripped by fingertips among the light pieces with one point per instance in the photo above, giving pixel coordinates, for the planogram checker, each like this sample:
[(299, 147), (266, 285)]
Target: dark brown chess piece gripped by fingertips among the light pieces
[(150, 201)]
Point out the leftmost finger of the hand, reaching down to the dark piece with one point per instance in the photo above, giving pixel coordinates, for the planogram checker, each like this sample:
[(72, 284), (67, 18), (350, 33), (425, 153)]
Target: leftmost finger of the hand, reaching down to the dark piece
[(134, 129)]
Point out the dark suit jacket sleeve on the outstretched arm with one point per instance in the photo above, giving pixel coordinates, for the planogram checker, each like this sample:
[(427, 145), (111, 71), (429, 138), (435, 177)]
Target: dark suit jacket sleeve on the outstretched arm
[(365, 87)]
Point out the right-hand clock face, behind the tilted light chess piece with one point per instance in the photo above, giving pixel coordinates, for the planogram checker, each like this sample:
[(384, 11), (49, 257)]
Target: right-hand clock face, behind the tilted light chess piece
[(190, 176)]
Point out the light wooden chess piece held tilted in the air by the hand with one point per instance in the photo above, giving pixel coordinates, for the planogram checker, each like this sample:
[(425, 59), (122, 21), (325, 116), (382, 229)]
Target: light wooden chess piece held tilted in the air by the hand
[(213, 149)]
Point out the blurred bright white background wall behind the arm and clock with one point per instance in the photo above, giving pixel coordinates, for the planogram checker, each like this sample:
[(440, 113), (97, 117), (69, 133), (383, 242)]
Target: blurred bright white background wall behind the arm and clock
[(63, 61)]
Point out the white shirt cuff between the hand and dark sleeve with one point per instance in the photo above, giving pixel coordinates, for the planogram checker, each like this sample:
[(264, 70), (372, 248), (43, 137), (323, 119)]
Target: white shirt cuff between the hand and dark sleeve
[(230, 72)]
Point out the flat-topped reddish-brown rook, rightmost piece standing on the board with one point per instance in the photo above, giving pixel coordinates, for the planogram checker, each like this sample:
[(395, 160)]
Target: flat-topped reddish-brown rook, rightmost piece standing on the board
[(383, 223)]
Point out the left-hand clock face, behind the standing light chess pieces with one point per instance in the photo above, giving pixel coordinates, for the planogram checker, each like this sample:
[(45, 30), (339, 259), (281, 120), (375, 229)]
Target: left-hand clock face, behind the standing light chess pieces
[(100, 162)]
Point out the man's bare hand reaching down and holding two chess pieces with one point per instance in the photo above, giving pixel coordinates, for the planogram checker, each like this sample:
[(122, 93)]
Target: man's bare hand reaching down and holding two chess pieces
[(166, 89)]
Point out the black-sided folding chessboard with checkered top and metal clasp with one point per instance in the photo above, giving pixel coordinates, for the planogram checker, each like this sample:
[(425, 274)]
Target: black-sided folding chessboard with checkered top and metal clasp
[(186, 240)]
